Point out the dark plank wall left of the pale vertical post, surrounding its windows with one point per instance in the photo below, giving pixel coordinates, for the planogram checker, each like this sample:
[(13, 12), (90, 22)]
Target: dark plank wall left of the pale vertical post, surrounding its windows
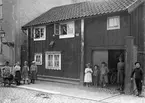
[(69, 48)]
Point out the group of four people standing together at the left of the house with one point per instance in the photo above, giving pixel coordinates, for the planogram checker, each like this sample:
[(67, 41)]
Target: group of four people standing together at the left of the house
[(18, 74)]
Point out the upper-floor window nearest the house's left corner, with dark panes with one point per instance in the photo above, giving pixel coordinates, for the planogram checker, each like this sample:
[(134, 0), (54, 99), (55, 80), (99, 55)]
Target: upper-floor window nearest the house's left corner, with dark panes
[(39, 33)]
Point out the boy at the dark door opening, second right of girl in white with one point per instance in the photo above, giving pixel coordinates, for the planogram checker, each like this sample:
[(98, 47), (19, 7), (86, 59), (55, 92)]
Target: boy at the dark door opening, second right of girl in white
[(103, 74)]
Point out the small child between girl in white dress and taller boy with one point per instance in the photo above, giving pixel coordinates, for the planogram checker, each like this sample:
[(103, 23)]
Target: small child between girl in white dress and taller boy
[(96, 72)]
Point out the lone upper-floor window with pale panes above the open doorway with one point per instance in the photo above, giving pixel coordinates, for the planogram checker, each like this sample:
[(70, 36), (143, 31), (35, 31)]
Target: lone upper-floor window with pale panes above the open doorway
[(113, 23)]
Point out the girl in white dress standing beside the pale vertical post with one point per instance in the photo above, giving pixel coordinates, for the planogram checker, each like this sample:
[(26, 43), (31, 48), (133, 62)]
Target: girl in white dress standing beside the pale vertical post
[(88, 75)]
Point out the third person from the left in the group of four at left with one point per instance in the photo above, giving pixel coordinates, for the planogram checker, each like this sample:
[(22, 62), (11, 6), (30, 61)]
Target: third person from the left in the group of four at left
[(25, 72)]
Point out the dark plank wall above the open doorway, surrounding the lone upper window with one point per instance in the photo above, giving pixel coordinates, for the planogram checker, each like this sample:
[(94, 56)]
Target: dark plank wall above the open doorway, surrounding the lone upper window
[(98, 37)]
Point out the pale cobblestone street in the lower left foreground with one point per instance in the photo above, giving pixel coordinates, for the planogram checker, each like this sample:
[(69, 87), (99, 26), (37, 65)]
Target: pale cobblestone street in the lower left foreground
[(16, 95)]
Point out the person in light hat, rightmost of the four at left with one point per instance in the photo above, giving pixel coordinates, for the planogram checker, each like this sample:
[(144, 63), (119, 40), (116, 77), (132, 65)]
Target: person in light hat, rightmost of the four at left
[(33, 72)]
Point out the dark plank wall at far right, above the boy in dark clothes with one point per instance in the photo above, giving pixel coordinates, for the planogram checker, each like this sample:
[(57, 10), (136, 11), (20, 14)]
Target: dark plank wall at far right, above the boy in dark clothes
[(137, 31)]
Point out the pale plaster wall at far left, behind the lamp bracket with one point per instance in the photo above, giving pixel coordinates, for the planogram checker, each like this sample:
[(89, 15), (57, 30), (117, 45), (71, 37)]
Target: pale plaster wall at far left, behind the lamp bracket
[(9, 26)]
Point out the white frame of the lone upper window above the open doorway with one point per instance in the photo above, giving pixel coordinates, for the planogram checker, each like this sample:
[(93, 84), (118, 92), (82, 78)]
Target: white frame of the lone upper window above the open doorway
[(113, 27)]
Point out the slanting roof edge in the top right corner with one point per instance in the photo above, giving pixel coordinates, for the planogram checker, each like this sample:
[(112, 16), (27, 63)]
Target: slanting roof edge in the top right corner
[(134, 5)]
